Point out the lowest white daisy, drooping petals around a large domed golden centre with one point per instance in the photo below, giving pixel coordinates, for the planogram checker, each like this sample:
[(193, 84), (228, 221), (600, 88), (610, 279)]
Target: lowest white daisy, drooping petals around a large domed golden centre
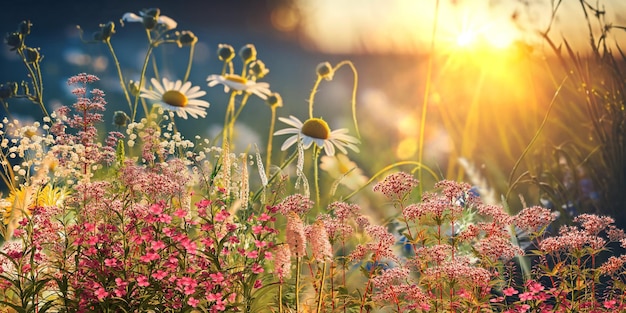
[(316, 130)]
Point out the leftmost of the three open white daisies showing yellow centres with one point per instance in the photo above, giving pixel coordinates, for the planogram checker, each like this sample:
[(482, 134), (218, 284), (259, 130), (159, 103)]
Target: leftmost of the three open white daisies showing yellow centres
[(177, 97)]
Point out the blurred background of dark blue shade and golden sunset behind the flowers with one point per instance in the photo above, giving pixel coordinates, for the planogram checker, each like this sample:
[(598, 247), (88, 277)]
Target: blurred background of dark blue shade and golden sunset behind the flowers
[(527, 105)]
